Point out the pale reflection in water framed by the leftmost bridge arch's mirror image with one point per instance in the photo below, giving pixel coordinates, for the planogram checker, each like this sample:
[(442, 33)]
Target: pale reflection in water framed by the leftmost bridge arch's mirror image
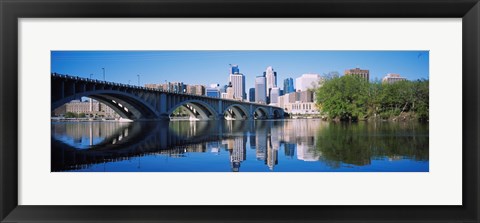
[(87, 133)]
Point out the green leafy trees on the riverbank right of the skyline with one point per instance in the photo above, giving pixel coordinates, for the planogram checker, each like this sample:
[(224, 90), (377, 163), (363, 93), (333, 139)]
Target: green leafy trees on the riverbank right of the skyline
[(351, 99)]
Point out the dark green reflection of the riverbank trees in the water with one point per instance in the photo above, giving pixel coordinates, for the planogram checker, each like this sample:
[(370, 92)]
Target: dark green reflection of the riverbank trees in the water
[(358, 143)]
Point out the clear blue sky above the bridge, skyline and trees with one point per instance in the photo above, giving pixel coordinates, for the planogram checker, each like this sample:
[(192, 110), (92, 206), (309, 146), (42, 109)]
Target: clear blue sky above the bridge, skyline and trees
[(206, 67)]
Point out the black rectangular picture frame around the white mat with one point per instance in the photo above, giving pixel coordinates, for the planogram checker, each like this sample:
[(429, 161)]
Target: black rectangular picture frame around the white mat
[(12, 10)]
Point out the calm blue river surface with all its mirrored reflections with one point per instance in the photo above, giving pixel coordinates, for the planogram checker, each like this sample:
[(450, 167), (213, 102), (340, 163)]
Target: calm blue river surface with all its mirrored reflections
[(297, 145)]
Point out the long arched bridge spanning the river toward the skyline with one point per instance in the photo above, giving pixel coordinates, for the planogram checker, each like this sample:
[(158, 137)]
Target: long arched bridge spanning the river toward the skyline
[(137, 103)]
